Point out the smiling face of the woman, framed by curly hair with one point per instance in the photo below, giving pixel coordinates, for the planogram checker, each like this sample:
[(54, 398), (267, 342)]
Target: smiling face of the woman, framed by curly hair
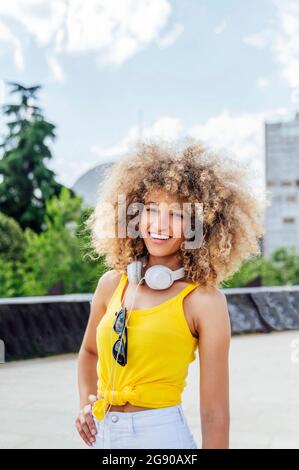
[(162, 224)]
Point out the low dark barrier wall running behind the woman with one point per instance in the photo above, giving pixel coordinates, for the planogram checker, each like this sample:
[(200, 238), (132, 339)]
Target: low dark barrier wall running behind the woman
[(39, 326)]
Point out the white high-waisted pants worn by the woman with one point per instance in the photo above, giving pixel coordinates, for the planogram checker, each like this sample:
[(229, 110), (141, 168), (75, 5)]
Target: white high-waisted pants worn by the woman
[(159, 428)]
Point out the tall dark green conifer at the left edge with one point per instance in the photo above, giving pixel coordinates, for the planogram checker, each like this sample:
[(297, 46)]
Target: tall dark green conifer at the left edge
[(25, 181)]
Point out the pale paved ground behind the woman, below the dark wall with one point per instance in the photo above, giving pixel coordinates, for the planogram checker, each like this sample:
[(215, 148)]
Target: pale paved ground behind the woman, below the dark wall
[(39, 397)]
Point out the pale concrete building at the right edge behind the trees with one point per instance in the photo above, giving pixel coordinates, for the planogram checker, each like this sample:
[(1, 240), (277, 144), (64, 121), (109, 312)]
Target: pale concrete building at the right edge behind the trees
[(282, 180)]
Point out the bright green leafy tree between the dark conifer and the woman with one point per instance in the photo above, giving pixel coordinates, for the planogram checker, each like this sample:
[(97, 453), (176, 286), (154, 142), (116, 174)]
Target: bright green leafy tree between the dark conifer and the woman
[(57, 254)]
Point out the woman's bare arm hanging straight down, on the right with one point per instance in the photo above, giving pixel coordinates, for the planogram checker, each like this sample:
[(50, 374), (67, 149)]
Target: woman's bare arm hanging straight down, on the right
[(214, 329)]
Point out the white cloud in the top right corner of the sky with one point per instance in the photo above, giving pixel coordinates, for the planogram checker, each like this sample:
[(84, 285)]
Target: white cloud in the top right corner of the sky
[(282, 37)]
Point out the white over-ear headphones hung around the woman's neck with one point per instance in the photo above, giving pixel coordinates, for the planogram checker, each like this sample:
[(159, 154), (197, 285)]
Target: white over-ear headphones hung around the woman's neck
[(156, 277)]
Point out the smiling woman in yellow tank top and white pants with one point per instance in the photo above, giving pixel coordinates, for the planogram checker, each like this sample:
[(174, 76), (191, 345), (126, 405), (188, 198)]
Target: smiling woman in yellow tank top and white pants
[(130, 384)]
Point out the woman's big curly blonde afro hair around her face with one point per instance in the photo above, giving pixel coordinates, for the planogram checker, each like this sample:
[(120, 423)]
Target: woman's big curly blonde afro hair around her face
[(232, 216)]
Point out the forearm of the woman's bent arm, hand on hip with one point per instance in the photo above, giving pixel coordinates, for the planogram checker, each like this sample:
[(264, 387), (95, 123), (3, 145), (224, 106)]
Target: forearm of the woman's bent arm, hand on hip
[(87, 375)]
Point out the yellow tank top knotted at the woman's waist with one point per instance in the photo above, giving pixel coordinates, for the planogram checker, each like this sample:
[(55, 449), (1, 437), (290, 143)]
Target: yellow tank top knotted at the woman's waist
[(160, 349)]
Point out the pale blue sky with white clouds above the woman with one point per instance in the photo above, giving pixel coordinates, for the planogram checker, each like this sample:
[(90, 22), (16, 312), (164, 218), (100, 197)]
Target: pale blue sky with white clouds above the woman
[(113, 70)]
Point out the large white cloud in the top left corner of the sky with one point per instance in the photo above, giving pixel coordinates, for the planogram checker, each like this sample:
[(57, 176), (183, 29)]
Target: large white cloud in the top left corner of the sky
[(114, 30)]
